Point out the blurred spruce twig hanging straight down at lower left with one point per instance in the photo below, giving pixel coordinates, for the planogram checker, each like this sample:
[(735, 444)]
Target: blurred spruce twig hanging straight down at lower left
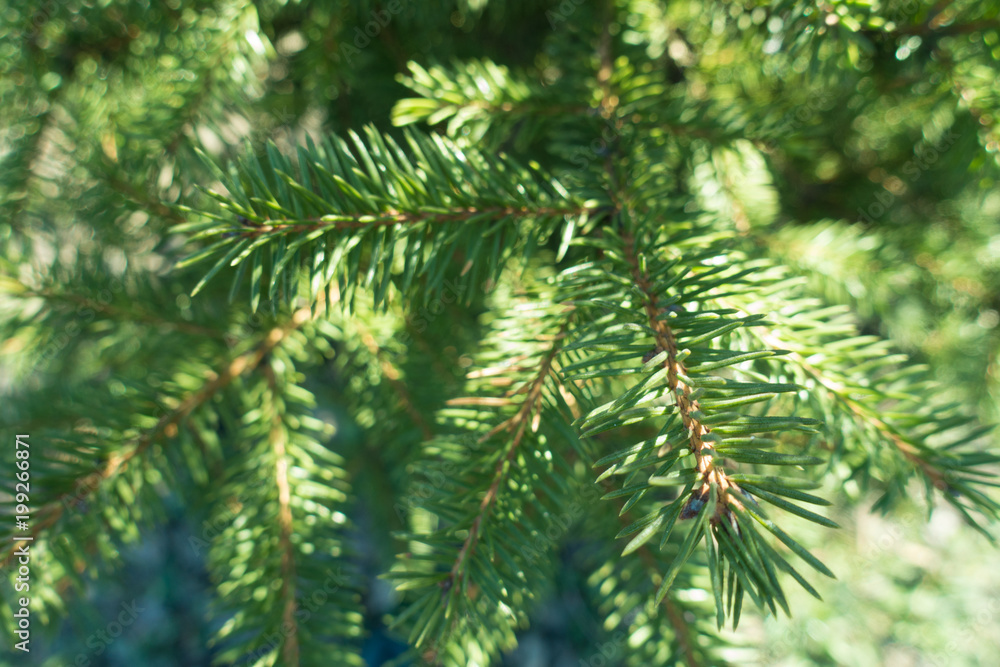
[(281, 562)]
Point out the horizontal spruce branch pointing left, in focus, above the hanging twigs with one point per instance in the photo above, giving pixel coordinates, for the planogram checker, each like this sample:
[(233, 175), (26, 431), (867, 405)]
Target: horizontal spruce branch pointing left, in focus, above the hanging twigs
[(370, 214)]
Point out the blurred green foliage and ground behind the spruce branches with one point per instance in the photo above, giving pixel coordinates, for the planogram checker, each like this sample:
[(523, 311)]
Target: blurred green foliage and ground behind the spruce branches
[(857, 141)]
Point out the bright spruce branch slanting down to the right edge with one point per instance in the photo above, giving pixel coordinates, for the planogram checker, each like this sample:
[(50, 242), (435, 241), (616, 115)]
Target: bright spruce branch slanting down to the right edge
[(881, 395)]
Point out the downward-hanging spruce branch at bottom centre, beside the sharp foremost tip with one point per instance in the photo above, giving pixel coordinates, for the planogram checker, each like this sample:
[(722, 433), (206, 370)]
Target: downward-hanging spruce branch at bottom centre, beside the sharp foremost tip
[(479, 562)]
